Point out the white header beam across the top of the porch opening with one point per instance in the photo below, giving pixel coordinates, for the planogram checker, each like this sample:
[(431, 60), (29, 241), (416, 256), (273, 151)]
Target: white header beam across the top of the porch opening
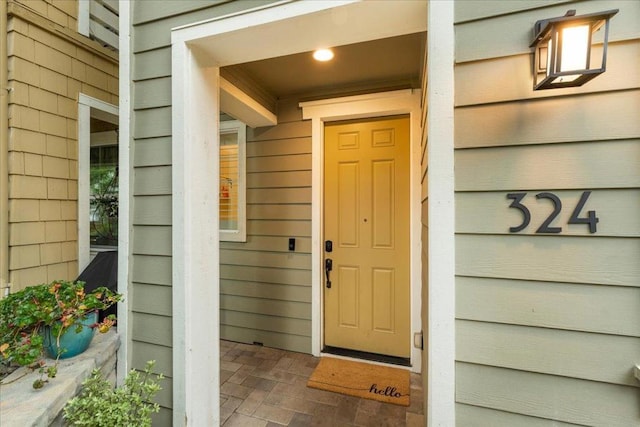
[(302, 26)]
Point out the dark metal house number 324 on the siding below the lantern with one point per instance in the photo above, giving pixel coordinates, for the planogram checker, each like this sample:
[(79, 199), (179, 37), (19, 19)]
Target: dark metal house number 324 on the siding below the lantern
[(591, 219)]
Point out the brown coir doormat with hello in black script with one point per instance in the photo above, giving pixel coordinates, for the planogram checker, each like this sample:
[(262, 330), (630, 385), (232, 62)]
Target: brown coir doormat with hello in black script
[(364, 380)]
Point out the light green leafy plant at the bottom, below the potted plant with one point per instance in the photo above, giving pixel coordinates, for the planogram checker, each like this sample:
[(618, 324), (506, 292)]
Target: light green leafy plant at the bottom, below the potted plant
[(100, 405)]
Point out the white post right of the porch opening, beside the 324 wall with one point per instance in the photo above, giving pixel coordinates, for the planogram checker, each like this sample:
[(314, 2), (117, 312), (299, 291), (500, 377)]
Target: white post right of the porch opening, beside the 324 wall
[(441, 321)]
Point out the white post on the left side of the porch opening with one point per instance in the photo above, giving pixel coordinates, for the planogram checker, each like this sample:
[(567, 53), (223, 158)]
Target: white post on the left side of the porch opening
[(195, 227)]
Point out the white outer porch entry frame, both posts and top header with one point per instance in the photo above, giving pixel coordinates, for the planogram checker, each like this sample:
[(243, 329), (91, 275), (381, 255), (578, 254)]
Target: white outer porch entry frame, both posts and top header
[(198, 49)]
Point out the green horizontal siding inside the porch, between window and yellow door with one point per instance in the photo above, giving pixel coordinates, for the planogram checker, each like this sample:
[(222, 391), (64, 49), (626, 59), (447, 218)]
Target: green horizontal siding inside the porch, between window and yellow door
[(278, 207)]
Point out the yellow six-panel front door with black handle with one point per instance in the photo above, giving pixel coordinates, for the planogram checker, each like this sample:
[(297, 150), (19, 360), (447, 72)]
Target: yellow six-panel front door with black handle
[(366, 218)]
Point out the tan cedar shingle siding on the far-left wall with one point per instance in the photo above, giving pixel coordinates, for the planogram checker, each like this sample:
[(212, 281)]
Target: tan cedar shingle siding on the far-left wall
[(47, 71)]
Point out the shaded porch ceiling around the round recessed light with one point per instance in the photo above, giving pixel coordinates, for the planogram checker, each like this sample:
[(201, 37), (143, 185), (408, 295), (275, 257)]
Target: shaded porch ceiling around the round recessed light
[(377, 65)]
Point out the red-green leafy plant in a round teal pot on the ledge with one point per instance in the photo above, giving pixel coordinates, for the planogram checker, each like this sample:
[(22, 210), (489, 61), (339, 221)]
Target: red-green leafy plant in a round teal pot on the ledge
[(48, 319)]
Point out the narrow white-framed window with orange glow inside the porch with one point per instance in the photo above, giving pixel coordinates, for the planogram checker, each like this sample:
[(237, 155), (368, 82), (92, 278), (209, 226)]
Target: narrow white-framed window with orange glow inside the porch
[(233, 137)]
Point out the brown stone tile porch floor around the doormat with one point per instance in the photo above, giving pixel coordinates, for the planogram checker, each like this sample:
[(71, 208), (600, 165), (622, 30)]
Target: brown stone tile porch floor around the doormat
[(262, 386)]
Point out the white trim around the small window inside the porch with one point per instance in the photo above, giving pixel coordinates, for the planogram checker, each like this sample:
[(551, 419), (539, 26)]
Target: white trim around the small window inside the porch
[(239, 235)]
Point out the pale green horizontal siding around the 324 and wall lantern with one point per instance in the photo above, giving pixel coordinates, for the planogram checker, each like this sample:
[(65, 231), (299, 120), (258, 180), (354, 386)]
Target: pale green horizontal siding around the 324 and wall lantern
[(547, 324)]
